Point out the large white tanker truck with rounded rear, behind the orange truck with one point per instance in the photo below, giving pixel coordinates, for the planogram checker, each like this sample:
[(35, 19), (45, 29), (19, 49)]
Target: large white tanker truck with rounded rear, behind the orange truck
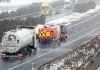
[(16, 43)]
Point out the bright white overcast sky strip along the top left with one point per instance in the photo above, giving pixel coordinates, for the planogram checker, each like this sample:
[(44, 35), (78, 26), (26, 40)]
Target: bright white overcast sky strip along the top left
[(22, 2)]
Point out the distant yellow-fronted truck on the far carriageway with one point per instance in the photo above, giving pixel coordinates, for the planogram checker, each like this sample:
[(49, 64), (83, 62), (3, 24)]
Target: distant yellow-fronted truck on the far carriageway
[(46, 9)]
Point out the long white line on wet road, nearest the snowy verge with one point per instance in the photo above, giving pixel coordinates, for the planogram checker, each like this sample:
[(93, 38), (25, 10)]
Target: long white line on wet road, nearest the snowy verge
[(53, 50)]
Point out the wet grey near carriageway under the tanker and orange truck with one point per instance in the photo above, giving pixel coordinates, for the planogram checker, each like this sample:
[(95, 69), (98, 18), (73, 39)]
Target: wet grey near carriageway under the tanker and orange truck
[(77, 34)]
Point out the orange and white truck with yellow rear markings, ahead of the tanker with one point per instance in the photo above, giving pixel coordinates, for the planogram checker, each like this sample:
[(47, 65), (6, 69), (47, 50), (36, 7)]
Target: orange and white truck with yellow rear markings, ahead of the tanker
[(51, 33)]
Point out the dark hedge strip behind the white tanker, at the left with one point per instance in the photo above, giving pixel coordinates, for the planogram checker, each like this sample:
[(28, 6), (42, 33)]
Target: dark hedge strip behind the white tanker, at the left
[(7, 25)]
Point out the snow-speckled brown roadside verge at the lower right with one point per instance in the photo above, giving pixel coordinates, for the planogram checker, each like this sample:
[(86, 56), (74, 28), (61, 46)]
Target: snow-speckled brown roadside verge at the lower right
[(76, 58)]
